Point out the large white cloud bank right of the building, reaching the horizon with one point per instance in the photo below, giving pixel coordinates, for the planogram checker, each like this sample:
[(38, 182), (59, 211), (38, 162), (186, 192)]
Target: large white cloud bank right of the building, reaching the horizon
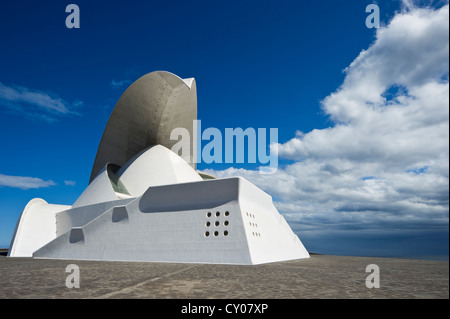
[(384, 162)]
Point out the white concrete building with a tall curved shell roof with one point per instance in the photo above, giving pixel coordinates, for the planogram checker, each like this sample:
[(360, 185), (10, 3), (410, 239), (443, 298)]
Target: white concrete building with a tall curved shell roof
[(146, 203)]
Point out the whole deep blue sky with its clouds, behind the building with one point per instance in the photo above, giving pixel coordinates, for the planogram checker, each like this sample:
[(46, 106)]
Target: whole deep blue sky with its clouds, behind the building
[(362, 114)]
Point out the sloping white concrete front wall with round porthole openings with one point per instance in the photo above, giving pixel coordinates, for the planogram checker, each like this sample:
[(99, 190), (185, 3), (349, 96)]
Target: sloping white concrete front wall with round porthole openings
[(227, 221)]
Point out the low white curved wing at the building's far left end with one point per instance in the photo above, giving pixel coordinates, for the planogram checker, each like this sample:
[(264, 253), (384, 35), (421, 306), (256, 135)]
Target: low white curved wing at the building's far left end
[(35, 228)]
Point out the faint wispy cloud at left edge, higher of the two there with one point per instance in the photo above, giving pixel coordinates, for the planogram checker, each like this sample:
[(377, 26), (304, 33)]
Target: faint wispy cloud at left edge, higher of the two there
[(35, 103)]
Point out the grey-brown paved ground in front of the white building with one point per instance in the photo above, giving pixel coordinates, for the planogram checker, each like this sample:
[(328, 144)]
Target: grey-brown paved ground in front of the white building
[(321, 276)]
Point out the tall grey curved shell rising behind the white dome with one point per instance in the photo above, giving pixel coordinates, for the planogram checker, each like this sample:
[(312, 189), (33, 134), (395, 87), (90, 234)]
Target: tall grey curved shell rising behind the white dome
[(145, 115)]
